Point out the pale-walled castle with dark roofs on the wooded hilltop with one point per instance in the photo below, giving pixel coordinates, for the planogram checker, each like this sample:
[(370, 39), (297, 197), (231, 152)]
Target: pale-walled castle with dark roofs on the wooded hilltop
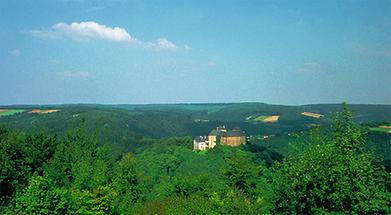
[(234, 137)]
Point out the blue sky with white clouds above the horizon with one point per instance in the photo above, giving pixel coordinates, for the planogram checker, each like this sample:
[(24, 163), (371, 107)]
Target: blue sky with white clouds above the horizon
[(201, 51)]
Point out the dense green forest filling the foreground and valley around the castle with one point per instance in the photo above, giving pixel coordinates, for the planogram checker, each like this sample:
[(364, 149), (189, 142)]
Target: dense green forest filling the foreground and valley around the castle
[(338, 167)]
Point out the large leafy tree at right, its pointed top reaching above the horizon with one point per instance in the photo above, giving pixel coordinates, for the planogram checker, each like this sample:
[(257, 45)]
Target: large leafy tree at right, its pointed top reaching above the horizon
[(332, 176)]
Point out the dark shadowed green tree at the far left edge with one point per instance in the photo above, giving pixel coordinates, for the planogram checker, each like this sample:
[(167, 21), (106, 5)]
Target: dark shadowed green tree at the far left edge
[(20, 156)]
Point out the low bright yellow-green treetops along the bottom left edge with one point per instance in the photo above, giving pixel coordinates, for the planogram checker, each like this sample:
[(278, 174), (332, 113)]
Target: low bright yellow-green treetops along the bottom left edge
[(41, 196)]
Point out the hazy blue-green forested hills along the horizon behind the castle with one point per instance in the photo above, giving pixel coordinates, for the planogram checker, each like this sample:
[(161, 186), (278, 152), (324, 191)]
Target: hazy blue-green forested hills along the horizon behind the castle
[(125, 125)]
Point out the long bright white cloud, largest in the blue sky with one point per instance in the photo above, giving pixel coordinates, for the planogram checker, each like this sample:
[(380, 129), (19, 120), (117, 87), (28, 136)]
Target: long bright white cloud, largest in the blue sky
[(85, 31)]
